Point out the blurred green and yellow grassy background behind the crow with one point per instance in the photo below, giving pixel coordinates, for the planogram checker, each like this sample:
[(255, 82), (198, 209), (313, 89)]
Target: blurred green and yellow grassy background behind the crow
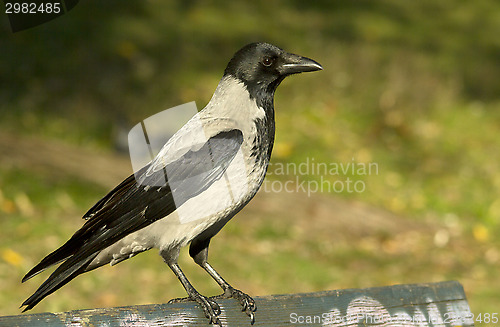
[(412, 86)]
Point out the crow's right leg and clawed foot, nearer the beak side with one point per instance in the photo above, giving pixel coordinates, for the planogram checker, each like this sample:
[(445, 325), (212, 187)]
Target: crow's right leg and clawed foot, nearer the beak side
[(199, 252)]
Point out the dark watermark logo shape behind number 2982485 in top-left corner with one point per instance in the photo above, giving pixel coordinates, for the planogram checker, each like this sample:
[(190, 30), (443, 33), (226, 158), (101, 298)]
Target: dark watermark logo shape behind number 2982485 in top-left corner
[(24, 14)]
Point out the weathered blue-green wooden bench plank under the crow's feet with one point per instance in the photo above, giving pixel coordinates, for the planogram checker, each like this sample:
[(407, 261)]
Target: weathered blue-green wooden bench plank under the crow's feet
[(437, 304)]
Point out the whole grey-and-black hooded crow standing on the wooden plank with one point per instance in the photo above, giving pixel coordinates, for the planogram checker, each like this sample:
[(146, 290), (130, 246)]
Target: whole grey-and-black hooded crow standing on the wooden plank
[(205, 174)]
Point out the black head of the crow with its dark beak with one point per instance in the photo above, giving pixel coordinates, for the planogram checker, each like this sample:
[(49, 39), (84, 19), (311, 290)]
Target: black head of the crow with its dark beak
[(262, 67)]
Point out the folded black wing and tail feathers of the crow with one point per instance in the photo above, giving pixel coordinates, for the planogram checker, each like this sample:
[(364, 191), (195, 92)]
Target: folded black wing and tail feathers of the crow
[(138, 201)]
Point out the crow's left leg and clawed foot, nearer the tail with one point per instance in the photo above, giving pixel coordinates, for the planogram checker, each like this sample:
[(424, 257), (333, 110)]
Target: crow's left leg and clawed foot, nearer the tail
[(210, 308)]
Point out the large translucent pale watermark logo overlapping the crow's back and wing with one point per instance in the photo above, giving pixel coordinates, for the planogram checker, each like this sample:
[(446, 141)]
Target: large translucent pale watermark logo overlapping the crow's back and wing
[(180, 155)]
